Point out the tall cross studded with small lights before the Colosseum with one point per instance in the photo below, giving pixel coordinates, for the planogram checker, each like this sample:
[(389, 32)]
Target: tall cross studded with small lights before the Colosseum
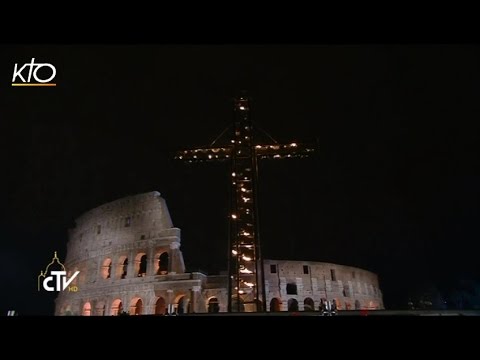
[(246, 283)]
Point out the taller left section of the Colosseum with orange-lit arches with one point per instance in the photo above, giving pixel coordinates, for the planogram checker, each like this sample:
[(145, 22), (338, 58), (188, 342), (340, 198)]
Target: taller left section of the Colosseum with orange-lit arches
[(107, 246)]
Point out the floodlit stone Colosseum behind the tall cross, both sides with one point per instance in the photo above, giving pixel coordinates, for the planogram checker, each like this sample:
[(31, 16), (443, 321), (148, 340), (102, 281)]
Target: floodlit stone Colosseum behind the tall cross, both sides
[(129, 258)]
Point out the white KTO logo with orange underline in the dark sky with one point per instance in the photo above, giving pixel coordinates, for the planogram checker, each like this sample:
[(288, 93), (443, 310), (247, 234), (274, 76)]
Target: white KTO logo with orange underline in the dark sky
[(48, 74)]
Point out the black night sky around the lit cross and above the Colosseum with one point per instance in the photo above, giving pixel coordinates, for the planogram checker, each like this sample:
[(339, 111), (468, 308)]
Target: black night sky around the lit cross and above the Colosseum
[(394, 187)]
